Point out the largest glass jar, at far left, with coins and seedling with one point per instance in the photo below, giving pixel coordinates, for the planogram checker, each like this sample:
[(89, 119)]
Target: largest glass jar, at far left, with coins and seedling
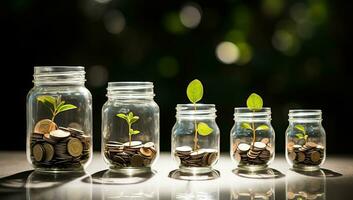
[(59, 119)]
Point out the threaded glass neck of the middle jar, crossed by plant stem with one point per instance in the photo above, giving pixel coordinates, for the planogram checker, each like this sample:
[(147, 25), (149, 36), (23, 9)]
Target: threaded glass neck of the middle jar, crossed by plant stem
[(195, 111)]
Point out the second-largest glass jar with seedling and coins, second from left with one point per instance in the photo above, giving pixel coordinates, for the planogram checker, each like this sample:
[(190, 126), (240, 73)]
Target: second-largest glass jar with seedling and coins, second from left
[(130, 127)]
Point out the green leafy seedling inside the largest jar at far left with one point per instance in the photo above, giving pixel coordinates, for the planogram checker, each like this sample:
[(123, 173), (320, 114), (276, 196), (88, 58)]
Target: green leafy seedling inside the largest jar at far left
[(55, 105)]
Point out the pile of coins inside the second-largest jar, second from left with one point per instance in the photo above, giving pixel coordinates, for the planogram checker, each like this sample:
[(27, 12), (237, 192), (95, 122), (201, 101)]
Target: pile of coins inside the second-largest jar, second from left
[(130, 154)]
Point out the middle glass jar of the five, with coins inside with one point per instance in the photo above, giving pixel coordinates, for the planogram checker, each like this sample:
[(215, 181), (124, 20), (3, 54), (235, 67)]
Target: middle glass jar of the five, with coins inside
[(194, 152)]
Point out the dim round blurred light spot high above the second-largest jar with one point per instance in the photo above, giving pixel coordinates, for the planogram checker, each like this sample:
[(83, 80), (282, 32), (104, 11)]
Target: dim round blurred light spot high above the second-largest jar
[(114, 21)]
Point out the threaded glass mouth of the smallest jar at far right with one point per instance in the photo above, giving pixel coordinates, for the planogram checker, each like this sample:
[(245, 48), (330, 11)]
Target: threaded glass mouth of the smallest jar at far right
[(305, 114)]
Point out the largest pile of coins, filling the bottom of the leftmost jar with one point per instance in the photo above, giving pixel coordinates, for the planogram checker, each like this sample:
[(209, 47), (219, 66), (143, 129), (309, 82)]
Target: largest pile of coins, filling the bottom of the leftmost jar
[(53, 147)]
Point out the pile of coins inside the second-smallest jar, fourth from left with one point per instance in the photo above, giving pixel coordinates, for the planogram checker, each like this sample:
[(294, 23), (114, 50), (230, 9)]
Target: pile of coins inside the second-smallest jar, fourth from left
[(257, 153)]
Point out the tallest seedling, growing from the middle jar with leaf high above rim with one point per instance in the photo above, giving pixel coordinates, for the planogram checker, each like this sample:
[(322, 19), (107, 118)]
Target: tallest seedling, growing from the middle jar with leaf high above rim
[(194, 92)]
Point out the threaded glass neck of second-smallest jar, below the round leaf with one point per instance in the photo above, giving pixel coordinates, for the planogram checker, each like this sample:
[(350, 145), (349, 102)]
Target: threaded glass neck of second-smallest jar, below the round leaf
[(244, 114)]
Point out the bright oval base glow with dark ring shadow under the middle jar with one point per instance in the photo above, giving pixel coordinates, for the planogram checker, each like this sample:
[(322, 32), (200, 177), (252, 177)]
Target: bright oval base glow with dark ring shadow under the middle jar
[(194, 173)]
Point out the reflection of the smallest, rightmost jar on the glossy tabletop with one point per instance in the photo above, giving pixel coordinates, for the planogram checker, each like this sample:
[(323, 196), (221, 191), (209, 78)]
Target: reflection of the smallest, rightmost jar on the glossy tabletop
[(311, 185)]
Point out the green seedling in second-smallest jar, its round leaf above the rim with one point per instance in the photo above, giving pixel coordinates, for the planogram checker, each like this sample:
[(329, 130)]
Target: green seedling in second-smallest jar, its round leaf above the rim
[(254, 103)]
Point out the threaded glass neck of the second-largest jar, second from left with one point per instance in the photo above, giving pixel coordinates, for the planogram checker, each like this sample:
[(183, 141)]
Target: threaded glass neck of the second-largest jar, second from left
[(130, 90)]
